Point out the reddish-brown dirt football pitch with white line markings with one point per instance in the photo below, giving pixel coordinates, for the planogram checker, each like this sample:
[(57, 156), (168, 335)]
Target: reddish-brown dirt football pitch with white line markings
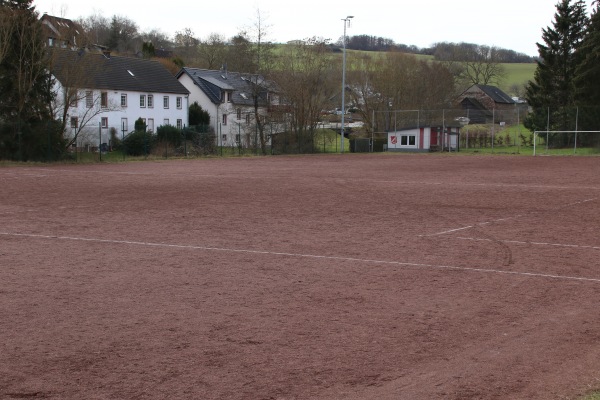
[(316, 277)]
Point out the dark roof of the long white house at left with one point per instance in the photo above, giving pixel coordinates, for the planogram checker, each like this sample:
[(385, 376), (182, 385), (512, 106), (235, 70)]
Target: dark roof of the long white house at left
[(97, 71)]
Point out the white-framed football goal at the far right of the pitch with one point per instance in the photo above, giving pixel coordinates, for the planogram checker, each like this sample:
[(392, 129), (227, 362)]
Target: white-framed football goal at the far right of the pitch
[(565, 140)]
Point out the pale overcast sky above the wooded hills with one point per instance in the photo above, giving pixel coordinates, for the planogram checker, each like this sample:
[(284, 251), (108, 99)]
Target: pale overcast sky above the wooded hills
[(510, 24)]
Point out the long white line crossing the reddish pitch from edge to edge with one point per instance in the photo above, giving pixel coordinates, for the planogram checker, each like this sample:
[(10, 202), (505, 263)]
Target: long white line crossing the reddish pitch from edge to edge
[(300, 255)]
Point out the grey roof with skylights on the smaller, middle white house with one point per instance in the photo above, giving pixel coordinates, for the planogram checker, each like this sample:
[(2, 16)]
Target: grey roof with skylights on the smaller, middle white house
[(212, 83)]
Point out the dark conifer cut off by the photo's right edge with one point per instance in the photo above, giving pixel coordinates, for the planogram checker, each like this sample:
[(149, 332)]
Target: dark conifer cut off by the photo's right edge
[(587, 79)]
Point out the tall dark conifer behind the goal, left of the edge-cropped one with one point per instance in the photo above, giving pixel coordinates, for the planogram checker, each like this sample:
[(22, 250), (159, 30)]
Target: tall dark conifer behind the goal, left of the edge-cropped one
[(553, 85)]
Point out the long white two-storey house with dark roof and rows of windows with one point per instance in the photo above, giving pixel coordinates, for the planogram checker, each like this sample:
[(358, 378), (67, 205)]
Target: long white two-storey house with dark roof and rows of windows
[(99, 94)]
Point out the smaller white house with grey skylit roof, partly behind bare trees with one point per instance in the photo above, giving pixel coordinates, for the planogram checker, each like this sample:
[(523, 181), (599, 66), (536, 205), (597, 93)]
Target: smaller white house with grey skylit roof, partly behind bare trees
[(228, 97)]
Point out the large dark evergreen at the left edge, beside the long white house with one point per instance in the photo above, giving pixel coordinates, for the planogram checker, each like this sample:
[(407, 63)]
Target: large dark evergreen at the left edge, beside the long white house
[(25, 86)]
